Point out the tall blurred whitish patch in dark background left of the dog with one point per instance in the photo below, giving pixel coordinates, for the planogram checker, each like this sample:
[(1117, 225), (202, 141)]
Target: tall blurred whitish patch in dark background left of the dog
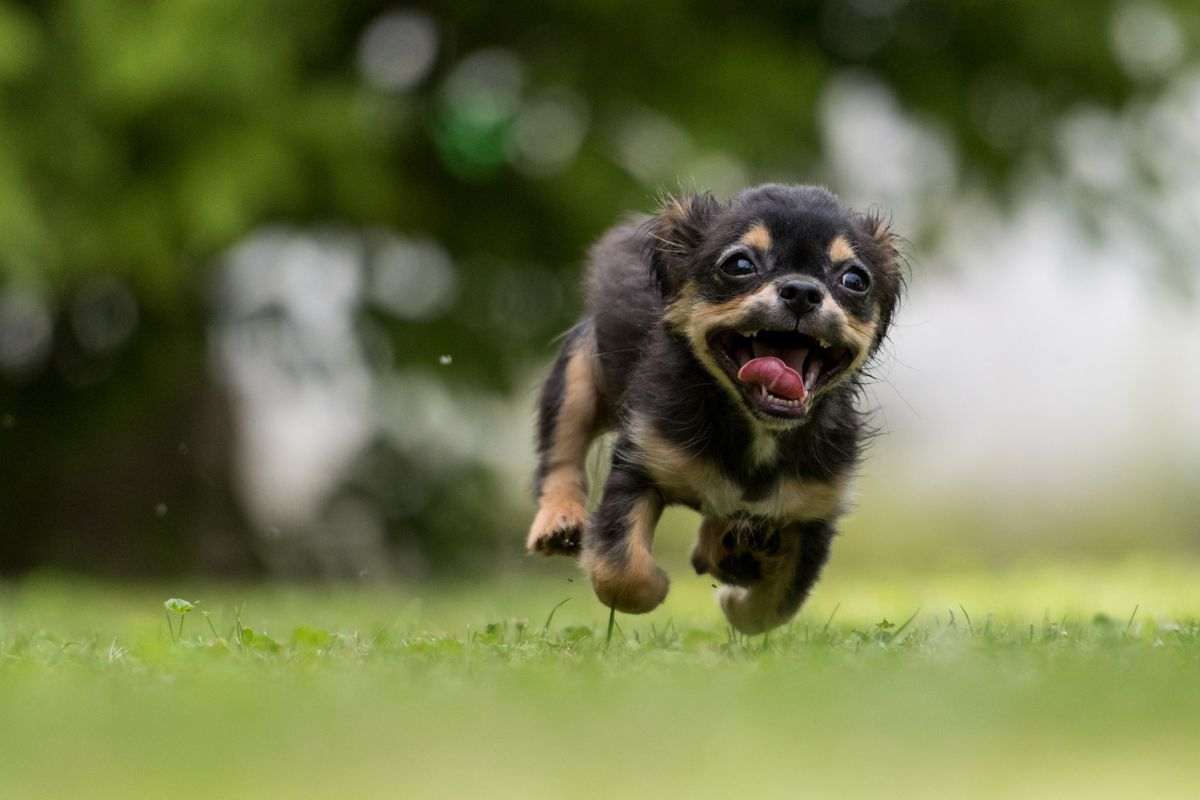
[(286, 347)]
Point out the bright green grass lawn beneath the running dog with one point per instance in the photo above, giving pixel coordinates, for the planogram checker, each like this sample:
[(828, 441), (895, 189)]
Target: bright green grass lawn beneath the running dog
[(1061, 681)]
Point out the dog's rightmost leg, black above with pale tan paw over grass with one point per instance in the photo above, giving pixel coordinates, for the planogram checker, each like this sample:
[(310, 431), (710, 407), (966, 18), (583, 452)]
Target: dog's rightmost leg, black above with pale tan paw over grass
[(777, 597)]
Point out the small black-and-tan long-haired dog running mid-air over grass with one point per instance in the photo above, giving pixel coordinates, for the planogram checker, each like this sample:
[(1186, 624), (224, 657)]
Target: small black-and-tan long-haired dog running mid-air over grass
[(724, 342)]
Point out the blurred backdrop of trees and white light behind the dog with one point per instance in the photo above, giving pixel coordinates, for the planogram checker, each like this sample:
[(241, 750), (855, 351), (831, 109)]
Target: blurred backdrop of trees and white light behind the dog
[(278, 280)]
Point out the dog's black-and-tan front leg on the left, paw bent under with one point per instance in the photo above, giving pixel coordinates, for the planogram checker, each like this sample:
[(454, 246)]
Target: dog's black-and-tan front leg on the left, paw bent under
[(620, 537)]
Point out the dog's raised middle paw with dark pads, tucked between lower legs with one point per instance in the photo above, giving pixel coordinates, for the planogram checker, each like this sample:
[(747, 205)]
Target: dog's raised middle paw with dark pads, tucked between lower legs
[(740, 551)]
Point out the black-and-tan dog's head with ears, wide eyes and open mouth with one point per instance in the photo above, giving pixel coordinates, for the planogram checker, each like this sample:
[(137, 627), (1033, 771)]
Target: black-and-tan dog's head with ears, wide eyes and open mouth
[(782, 294)]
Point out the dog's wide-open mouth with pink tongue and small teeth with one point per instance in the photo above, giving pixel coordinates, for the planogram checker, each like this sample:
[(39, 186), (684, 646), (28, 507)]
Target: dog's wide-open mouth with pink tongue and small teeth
[(779, 372)]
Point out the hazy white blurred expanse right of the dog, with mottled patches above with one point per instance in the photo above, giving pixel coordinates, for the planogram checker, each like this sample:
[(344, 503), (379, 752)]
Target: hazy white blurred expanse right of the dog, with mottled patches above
[(1048, 350)]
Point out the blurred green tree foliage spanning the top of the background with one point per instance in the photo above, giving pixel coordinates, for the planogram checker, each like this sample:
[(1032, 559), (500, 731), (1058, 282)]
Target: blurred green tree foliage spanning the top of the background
[(143, 140)]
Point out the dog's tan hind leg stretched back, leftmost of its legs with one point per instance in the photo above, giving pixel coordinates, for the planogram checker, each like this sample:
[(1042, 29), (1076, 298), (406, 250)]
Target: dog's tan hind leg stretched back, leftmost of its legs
[(567, 424)]
